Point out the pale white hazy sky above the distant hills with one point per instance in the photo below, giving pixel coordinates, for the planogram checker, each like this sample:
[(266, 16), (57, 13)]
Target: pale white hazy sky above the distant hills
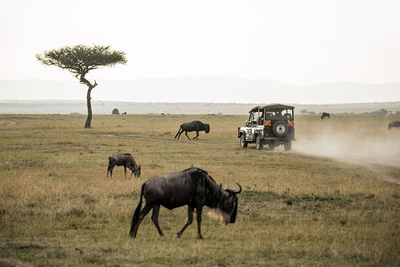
[(294, 42)]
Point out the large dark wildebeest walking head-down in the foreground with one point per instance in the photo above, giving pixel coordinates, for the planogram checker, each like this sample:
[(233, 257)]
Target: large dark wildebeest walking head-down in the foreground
[(193, 187)]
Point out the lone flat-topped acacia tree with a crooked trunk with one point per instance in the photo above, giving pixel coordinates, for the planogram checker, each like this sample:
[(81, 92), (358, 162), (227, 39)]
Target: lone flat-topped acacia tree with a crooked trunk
[(79, 60)]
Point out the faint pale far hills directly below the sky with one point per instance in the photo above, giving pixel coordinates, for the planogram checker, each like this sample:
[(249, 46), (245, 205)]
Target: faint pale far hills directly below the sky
[(209, 89)]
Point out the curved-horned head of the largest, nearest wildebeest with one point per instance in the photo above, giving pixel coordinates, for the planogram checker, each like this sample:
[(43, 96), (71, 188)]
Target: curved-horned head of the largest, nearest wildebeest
[(227, 208)]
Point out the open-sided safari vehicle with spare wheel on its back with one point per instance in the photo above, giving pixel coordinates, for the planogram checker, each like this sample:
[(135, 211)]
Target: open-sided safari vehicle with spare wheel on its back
[(271, 125)]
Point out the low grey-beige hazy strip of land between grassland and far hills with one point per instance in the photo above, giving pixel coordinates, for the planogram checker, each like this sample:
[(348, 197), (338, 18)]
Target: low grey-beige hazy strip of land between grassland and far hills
[(106, 107)]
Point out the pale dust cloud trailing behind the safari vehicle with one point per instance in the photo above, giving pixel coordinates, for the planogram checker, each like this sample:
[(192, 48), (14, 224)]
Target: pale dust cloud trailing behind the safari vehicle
[(363, 142)]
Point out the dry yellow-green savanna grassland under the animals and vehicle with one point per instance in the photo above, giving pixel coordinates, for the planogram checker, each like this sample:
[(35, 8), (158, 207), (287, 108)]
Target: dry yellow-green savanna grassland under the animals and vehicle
[(57, 207)]
